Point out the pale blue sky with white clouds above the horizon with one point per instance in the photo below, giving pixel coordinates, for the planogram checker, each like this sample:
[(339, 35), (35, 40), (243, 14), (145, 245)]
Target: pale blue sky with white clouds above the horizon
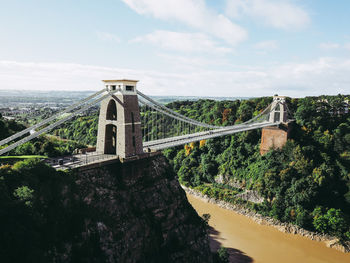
[(232, 48)]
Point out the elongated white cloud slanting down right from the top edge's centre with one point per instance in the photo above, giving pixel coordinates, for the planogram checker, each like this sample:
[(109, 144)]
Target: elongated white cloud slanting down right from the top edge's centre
[(193, 13)]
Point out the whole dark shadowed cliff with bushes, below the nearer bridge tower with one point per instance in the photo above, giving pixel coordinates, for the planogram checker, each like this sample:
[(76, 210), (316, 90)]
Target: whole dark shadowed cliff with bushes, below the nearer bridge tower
[(121, 212)]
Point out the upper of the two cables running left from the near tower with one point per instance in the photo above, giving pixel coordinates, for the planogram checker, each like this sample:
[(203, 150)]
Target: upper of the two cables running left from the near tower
[(38, 125)]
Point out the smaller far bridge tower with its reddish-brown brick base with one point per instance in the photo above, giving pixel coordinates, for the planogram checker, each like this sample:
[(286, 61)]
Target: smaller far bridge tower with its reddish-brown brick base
[(276, 137)]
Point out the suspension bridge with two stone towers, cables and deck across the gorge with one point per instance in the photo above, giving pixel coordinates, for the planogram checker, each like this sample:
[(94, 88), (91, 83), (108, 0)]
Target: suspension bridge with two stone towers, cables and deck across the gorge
[(132, 124)]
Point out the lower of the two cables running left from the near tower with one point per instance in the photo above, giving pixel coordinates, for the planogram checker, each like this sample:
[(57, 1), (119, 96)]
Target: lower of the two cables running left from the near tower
[(55, 124)]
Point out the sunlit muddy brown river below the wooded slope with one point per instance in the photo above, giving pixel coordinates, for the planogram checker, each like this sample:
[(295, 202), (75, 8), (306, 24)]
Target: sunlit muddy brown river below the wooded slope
[(248, 241)]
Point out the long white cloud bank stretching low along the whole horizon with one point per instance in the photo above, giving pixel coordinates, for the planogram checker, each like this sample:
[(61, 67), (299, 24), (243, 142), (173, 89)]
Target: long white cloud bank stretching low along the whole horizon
[(321, 76)]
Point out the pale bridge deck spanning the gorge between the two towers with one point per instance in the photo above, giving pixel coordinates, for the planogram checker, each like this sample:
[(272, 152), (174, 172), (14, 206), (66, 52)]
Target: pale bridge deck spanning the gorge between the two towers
[(188, 138)]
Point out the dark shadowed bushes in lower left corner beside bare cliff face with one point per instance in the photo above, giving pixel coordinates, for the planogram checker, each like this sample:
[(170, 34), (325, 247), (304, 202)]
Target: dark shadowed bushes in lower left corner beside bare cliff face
[(37, 211)]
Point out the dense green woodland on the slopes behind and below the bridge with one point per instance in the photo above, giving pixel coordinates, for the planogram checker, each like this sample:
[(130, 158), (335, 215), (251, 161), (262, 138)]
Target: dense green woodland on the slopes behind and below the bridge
[(305, 183)]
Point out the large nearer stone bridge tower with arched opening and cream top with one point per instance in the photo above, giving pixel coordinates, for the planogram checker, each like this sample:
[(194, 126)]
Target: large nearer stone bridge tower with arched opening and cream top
[(119, 124)]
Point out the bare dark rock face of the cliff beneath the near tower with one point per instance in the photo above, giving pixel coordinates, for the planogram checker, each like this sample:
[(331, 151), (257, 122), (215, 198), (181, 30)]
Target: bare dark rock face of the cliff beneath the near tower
[(134, 212)]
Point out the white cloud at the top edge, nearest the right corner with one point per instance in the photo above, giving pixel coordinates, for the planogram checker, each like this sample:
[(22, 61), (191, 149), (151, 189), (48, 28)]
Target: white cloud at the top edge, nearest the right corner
[(281, 14)]
